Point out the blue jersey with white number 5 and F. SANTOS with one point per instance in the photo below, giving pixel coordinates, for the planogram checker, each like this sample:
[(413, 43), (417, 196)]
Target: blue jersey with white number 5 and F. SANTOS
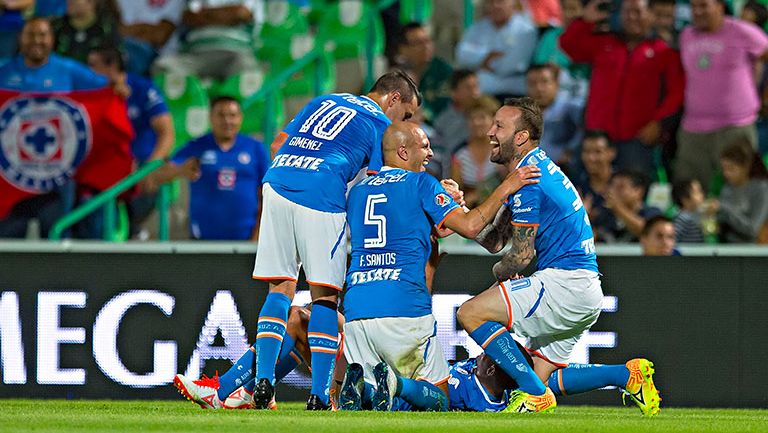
[(390, 217)]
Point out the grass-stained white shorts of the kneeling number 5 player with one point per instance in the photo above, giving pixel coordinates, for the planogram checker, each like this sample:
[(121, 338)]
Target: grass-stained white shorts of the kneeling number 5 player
[(409, 345)]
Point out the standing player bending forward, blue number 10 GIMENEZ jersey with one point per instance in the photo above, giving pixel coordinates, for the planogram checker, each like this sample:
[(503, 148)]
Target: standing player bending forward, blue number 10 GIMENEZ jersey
[(303, 223)]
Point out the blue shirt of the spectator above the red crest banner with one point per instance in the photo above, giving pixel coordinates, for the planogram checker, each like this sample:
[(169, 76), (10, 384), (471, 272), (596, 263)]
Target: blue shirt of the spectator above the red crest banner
[(60, 74)]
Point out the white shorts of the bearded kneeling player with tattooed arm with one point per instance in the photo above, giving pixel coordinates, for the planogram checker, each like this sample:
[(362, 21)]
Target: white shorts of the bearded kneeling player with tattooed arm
[(553, 308)]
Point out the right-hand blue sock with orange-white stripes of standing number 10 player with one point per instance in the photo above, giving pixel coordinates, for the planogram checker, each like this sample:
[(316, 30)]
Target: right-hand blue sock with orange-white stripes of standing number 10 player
[(322, 333)]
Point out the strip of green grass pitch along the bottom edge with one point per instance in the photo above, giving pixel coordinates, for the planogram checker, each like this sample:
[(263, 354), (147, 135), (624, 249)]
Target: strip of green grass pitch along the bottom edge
[(182, 416)]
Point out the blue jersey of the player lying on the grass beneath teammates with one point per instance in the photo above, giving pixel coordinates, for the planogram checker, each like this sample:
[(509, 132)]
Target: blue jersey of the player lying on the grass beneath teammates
[(465, 392)]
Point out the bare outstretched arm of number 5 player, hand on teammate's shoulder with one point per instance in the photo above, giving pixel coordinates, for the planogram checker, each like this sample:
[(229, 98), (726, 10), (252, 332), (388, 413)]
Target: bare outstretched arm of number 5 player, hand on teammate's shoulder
[(470, 224)]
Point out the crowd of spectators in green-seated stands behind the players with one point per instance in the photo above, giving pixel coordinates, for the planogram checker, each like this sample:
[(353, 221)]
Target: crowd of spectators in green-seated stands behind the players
[(654, 108)]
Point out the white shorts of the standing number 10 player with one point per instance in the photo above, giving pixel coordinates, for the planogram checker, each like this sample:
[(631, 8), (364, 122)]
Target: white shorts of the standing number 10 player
[(292, 236)]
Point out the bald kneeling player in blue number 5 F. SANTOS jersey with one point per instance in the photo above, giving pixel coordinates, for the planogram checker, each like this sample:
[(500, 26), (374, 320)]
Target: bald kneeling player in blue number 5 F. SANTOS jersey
[(389, 329)]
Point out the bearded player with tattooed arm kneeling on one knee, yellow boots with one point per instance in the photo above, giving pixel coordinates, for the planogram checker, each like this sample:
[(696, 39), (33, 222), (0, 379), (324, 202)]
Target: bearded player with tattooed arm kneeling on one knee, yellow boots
[(561, 300)]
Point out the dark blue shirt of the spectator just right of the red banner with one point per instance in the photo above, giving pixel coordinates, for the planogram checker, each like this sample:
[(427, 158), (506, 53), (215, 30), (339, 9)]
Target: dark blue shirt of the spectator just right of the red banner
[(144, 104)]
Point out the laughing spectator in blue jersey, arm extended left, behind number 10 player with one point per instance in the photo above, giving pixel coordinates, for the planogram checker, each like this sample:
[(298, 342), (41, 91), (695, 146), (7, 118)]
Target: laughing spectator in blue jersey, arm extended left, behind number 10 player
[(226, 170)]
